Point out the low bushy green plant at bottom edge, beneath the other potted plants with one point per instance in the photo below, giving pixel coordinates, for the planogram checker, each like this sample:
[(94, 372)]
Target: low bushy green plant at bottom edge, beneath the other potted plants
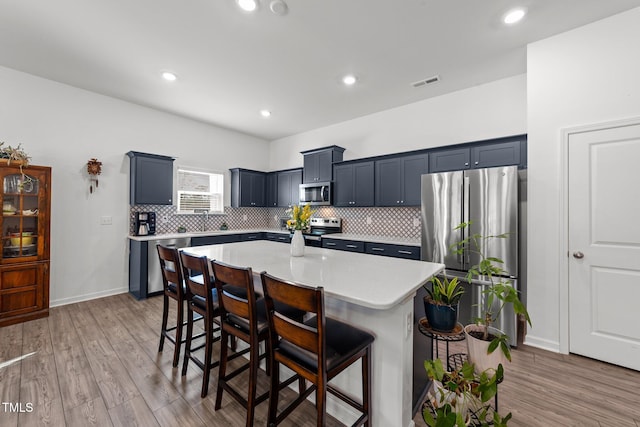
[(459, 398)]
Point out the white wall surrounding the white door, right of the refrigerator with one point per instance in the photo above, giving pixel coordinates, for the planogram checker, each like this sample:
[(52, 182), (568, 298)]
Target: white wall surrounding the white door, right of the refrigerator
[(589, 75)]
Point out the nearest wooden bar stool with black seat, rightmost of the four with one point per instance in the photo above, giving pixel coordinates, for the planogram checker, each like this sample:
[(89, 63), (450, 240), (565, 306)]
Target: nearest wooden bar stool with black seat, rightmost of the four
[(317, 349)]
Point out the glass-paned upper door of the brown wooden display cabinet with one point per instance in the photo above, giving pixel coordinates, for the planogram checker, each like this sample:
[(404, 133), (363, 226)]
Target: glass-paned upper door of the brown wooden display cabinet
[(20, 215)]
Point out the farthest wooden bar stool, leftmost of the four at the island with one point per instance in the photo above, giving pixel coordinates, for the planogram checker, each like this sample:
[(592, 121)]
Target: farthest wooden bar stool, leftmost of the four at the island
[(174, 289)]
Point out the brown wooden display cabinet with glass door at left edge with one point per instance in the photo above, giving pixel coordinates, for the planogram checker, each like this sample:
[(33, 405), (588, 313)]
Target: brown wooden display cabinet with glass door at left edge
[(25, 225)]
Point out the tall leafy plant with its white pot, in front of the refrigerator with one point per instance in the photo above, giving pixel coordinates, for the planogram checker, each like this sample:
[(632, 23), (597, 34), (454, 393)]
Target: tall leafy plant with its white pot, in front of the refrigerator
[(482, 338)]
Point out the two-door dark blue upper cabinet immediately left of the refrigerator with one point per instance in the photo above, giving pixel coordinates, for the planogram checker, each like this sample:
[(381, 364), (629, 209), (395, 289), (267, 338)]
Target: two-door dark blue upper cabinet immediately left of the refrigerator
[(398, 180)]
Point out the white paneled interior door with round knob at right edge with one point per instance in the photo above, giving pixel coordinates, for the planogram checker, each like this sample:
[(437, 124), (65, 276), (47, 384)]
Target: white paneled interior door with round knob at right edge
[(604, 244)]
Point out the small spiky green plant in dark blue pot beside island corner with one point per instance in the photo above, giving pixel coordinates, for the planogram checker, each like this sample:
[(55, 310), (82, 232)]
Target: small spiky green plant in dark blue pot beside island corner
[(441, 303)]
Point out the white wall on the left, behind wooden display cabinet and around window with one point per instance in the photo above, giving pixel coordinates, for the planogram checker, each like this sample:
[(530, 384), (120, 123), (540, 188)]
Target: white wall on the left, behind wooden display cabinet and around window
[(63, 127)]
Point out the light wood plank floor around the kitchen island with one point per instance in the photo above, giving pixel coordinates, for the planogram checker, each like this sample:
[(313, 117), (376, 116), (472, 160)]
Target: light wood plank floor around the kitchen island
[(96, 363)]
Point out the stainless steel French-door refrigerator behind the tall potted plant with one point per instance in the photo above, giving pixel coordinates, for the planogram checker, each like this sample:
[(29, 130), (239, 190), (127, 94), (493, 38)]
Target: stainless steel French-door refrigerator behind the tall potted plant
[(489, 199)]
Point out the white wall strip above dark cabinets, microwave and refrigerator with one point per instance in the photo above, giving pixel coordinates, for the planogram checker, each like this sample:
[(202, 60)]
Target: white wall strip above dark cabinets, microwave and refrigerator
[(488, 111)]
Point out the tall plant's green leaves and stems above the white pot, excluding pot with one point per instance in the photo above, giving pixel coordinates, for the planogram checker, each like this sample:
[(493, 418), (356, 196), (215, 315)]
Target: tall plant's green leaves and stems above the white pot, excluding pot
[(499, 289)]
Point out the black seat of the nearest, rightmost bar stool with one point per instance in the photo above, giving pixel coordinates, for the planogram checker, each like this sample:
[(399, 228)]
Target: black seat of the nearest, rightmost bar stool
[(342, 342)]
